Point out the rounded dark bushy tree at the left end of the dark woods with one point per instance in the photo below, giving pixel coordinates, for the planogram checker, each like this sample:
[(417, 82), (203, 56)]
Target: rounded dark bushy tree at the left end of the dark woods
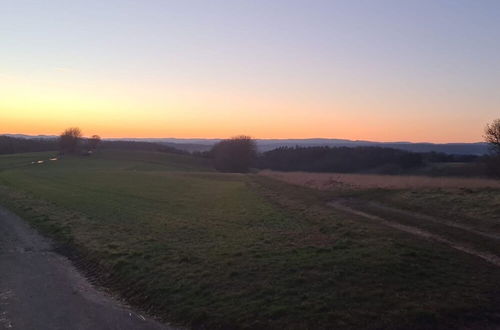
[(234, 155)]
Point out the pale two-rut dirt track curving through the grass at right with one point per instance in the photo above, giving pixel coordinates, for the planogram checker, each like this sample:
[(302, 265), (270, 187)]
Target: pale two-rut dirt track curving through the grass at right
[(345, 207)]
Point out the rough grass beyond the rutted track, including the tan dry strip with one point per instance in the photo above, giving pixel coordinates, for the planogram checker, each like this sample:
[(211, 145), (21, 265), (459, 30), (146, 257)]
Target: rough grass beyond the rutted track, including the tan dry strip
[(473, 202)]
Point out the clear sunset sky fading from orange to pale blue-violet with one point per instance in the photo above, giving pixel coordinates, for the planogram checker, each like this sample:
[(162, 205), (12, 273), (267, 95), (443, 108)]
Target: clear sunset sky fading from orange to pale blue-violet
[(380, 70)]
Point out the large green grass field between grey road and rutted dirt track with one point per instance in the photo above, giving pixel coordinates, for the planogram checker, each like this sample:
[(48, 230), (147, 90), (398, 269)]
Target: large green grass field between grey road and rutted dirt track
[(199, 247)]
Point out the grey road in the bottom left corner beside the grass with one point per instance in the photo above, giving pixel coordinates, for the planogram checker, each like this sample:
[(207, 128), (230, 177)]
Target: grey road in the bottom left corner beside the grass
[(39, 289)]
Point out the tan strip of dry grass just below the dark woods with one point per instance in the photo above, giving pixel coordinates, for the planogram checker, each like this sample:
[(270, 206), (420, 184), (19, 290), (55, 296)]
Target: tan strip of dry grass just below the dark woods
[(329, 181)]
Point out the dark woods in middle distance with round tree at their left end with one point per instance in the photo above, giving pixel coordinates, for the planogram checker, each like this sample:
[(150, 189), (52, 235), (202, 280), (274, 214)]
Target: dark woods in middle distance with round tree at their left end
[(239, 154)]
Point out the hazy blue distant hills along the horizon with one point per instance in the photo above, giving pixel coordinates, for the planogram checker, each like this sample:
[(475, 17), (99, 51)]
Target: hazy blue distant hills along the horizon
[(191, 145)]
